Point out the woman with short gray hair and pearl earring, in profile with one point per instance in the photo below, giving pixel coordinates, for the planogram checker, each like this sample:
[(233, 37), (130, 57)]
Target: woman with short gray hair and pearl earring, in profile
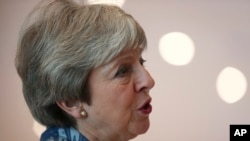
[(82, 72)]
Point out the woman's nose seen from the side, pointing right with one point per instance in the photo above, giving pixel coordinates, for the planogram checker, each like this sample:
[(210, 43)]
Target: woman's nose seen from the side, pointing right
[(144, 81)]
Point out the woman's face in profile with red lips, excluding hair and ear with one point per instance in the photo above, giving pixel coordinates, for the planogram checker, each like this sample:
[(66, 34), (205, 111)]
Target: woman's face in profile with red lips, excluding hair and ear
[(120, 105)]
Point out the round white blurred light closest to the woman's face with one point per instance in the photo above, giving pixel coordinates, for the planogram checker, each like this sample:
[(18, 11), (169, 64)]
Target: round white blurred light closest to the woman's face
[(176, 48)]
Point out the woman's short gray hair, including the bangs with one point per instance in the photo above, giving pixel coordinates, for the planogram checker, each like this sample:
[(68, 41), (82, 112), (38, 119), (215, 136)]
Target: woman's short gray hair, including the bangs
[(59, 45)]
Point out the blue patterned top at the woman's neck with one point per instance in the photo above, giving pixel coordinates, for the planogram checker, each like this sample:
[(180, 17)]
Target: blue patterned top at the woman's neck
[(62, 134)]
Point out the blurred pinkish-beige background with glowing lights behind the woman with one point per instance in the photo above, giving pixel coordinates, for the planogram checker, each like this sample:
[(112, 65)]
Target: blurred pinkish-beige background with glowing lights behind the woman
[(198, 53)]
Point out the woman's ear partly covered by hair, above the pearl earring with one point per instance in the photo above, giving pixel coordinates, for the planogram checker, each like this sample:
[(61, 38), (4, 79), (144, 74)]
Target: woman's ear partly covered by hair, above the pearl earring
[(73, 108)]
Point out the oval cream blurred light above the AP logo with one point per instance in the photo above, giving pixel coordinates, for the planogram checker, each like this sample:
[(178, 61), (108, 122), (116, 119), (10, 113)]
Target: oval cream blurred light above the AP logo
[(231, 85)]
